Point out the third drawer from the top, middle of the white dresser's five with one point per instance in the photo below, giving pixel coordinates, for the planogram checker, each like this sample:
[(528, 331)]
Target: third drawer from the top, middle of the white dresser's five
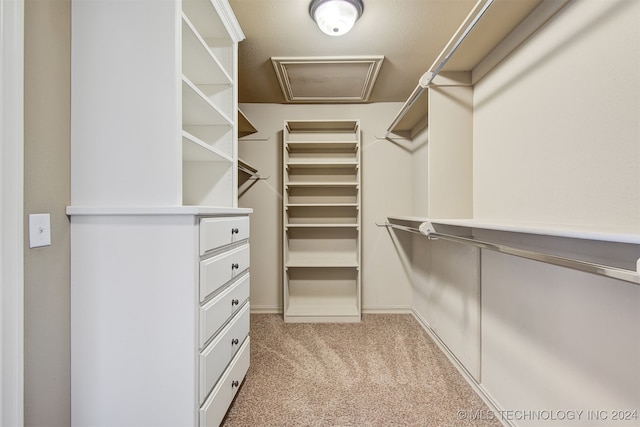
[(215, 313)]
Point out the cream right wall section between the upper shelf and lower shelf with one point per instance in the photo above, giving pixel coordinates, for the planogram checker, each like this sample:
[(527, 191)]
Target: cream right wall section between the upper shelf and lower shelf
[(556, 126)]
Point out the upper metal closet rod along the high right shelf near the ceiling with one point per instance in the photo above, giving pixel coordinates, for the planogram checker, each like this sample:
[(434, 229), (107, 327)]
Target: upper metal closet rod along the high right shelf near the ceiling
[(482, 6)]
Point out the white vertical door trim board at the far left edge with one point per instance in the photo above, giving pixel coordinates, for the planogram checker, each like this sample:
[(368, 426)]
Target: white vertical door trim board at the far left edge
[(11, 213)]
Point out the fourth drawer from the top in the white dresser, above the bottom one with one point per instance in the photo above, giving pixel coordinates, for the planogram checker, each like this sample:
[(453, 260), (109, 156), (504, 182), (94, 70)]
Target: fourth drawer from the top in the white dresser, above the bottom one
[(217, 355)]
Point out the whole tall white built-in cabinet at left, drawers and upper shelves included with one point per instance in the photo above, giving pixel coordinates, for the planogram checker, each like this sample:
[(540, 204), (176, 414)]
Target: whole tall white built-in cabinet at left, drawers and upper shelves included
[(160, 250)]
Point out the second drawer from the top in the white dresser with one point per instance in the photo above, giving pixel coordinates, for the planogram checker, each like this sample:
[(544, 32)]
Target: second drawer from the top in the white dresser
[(219, 269)]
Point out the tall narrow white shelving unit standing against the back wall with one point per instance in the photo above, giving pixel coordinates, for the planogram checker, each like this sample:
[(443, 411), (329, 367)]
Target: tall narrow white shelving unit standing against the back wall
[(322, 235)]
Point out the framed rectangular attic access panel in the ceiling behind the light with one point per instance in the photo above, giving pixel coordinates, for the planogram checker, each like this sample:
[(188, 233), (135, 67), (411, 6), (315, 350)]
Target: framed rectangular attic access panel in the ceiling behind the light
[(327, 79)]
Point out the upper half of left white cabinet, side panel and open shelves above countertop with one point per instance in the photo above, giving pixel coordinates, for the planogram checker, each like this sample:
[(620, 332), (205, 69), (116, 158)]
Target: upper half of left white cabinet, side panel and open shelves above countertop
[(154, 106)]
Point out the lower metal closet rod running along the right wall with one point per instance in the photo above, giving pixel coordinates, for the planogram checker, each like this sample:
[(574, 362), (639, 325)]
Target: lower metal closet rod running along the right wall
[(588, 267)]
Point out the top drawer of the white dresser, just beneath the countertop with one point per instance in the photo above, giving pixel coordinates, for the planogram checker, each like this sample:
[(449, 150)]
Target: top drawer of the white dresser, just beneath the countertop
[(217, 232)]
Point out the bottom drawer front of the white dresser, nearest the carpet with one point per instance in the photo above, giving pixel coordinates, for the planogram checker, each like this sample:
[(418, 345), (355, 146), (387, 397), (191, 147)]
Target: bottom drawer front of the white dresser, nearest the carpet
[(213, 410)]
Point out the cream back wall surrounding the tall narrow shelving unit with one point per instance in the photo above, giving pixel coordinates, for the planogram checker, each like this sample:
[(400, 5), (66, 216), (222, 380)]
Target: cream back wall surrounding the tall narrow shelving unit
[(386, 184)]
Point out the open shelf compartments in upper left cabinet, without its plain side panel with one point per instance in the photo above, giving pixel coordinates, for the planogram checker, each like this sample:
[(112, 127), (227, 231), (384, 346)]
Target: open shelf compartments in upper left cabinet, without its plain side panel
[(208, 106)]
